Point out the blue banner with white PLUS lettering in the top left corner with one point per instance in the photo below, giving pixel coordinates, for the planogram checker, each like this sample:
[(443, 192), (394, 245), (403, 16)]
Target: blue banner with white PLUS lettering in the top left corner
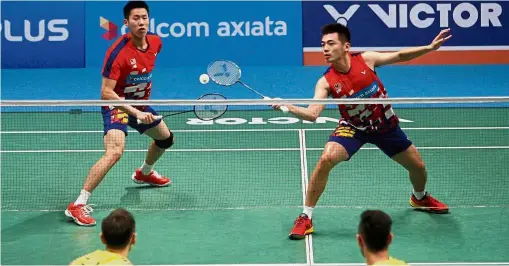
[(43, 34)]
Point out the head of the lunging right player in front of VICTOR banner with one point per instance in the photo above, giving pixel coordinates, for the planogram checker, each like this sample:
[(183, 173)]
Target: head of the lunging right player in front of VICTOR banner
[(335, 41)]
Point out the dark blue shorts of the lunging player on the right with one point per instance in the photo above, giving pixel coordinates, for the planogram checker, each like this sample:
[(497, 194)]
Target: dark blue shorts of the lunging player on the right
[(390, 143)]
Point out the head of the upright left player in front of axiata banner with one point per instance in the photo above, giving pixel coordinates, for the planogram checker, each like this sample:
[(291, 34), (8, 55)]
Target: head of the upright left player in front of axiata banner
[(136, 18)]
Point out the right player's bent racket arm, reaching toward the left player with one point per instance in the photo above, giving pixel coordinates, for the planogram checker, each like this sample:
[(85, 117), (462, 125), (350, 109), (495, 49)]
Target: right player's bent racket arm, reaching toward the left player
[(312, 112)]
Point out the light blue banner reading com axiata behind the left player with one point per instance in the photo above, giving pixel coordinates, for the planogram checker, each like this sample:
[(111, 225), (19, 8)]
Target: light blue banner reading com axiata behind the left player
[(195, 33)]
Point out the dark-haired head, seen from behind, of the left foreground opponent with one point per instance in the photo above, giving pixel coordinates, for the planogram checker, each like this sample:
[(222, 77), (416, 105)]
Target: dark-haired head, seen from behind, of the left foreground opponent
[(118, 230)]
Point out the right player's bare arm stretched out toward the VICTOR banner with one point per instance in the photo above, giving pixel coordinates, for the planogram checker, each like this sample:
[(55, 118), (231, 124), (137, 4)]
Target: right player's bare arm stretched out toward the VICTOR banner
[(376, 59)]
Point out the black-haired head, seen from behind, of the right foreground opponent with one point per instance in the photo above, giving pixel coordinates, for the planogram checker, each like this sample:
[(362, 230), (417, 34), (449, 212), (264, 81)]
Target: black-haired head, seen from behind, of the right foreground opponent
[(374, 232)]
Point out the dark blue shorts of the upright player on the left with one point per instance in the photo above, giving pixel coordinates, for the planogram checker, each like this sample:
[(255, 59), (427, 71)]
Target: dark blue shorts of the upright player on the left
[(117, 119)]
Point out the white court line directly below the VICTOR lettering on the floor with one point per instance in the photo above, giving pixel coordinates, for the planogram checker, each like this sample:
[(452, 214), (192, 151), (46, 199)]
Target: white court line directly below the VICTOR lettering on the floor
[(243, 130)]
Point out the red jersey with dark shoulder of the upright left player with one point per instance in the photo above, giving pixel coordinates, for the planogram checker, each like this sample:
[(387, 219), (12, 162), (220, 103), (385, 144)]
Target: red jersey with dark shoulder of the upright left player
[(131, 67)]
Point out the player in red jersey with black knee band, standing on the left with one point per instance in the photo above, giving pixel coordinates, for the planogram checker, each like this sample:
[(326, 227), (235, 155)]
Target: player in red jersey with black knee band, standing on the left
[(127, 74)]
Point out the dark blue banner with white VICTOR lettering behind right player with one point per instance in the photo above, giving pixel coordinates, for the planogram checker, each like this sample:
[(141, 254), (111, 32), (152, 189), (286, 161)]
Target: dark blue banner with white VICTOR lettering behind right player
[(410, 23)]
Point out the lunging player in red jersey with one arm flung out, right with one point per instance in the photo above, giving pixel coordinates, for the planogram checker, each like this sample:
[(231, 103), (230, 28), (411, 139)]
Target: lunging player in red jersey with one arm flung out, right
[(352, 75)]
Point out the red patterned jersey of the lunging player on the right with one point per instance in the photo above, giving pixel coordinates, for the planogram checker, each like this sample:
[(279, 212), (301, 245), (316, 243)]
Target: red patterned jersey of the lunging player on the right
[(361, 82)]
